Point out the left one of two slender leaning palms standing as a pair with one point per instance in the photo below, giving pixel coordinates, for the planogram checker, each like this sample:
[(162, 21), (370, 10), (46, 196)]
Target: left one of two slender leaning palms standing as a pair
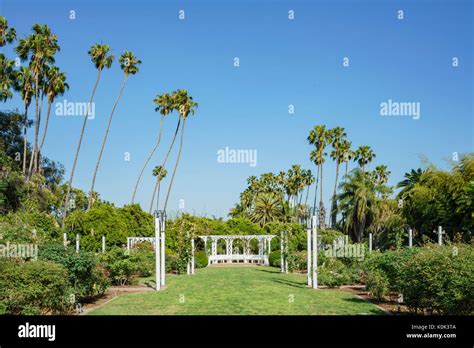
[(102, 59)]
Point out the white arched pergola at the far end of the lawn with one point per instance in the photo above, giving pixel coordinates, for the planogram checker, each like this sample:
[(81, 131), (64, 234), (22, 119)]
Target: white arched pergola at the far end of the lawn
[(231, 256)]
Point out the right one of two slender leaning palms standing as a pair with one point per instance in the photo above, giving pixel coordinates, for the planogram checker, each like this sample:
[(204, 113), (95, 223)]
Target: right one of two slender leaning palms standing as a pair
[(129, 65)]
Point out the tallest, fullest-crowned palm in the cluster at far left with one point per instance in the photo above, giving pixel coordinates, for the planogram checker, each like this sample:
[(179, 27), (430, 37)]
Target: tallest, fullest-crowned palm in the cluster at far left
[(42, 45)]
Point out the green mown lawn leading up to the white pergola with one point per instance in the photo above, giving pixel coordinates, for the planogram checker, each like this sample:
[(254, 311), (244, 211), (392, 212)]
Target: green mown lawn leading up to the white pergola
[(241, 291)]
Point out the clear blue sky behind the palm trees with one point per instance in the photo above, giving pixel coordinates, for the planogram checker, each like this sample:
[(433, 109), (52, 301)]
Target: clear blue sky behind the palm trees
[(282, 62)]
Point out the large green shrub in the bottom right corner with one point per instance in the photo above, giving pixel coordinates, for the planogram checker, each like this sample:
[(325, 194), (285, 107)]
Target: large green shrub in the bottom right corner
[(433, 278)]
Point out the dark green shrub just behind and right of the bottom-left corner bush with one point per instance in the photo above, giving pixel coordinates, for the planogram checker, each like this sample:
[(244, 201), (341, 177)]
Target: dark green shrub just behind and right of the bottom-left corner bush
[(85, 274)]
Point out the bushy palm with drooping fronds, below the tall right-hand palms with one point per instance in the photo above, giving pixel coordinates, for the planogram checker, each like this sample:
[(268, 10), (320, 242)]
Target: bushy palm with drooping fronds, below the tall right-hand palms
[(358, 203)]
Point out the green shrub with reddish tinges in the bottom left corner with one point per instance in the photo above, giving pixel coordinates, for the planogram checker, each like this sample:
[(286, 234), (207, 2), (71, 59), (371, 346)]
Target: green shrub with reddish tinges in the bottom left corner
[(33, 288)]
